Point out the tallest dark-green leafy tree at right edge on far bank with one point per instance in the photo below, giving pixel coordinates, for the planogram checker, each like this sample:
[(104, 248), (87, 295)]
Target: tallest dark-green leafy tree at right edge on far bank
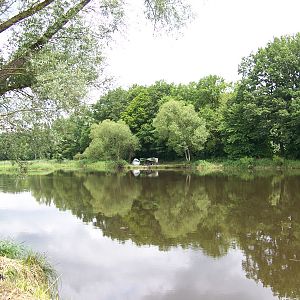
[(263, 119)]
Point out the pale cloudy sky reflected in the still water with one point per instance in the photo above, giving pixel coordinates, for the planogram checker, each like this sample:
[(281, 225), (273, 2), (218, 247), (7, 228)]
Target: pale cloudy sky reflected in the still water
[(96, 267)]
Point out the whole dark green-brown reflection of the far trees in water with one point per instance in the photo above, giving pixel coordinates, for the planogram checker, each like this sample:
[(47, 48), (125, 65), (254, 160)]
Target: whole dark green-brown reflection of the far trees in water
[(259, 215)]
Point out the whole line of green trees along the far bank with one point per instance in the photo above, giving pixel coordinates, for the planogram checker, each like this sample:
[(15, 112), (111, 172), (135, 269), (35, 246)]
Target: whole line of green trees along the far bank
[(259, 116)]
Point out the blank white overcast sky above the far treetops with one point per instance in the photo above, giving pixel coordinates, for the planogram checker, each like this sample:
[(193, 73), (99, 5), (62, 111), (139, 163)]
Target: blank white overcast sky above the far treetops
[(222, 33)]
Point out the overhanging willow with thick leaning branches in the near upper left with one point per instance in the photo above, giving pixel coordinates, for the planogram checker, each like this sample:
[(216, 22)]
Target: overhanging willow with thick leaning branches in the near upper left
[(51, 51)]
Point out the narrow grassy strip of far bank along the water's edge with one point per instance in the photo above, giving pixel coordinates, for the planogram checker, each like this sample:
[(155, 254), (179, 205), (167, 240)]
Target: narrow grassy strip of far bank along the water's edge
[(204, 166)]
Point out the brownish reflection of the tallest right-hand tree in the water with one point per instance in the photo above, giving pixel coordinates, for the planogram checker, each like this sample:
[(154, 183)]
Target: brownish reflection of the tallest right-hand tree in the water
[(269, 233)]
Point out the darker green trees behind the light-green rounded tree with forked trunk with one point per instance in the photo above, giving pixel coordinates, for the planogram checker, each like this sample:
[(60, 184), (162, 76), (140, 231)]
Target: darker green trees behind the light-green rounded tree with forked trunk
[(140, 105)]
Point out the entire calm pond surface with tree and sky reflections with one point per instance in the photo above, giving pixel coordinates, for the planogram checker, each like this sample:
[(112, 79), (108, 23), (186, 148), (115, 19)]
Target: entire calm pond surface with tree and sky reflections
[(160, 236)]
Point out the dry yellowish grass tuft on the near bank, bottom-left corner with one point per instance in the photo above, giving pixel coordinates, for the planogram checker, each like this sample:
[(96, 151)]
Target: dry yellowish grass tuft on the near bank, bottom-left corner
[(24, 274)]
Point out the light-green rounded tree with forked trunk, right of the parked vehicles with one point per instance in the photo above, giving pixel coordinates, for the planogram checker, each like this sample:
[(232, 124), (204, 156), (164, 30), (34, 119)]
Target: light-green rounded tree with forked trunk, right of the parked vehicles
[(181, 127)]
